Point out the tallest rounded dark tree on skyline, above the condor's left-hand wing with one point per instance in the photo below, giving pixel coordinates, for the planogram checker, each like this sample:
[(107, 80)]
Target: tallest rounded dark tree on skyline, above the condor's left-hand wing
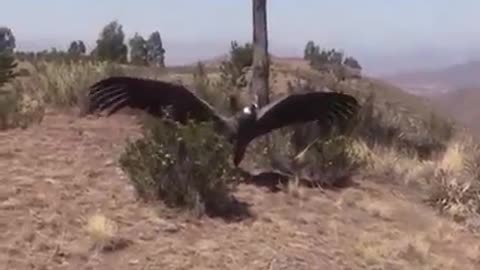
[(110, 44)]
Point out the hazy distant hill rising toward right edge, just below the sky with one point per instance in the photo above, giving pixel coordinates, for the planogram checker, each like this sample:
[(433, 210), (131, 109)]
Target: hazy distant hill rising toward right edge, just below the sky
[(438, 81)]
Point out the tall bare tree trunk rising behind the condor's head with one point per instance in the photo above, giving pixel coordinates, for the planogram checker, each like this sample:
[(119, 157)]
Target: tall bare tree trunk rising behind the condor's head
[(261, 66)]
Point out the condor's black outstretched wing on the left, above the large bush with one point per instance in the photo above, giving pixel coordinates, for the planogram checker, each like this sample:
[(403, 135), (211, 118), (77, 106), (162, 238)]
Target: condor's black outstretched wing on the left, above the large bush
[(115, 93)]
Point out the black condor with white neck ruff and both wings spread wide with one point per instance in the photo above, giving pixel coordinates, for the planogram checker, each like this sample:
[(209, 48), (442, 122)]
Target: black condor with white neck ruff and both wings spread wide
[(153, 96)]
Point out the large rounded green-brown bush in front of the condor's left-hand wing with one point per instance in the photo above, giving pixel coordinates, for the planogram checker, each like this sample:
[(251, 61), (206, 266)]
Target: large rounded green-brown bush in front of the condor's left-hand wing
[(185, 166)]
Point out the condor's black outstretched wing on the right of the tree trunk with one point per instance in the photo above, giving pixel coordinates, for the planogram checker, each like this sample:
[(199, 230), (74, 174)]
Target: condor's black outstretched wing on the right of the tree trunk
[(305, 107)]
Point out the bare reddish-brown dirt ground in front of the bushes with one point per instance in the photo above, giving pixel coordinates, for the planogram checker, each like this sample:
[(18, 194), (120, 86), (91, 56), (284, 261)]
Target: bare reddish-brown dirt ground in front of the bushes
[(65, 204)]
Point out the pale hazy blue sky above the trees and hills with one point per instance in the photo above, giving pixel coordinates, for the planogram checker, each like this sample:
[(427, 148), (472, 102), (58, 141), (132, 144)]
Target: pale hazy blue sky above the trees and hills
[(370, 29)]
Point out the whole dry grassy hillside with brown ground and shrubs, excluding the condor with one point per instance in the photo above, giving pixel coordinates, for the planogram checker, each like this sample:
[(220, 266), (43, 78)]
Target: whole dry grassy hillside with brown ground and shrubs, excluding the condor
[(399, 190)]
